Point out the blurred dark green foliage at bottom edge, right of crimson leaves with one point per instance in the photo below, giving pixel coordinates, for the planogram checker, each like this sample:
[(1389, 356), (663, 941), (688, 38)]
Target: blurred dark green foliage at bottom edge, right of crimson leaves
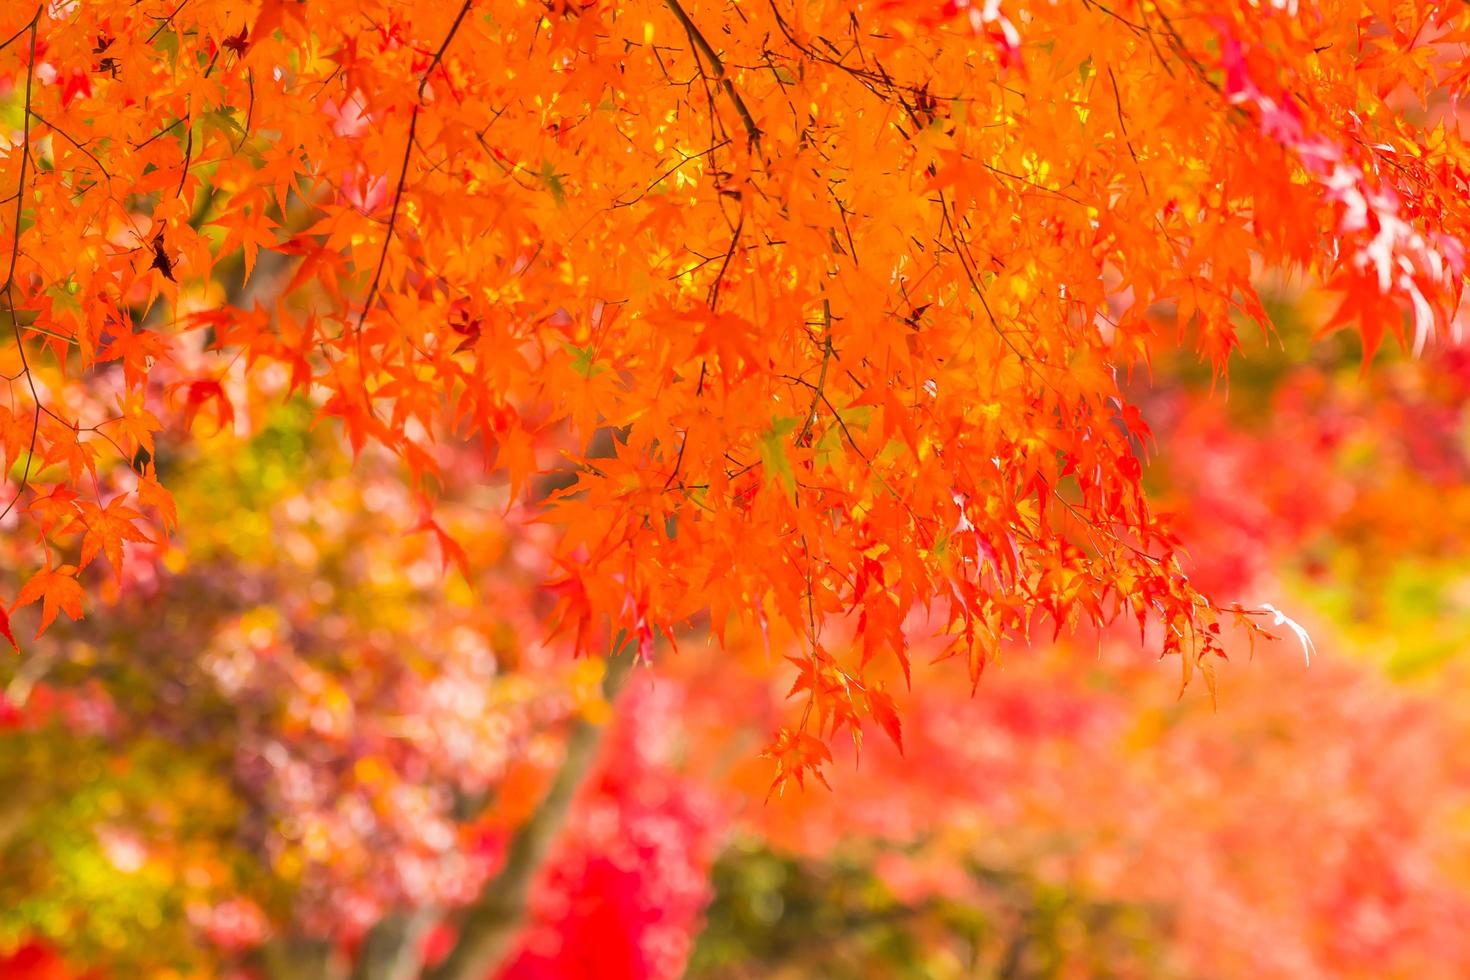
[(781, 916)]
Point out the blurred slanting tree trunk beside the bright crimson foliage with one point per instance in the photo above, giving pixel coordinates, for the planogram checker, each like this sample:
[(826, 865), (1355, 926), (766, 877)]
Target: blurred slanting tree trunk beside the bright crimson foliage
[(489, 926)]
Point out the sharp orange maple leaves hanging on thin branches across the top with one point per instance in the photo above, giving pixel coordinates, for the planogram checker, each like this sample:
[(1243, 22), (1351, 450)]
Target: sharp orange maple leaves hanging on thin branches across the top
[(855, 287)]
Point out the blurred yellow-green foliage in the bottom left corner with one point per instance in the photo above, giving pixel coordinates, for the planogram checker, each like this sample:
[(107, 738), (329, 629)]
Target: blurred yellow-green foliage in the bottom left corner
[(104, 847)]
